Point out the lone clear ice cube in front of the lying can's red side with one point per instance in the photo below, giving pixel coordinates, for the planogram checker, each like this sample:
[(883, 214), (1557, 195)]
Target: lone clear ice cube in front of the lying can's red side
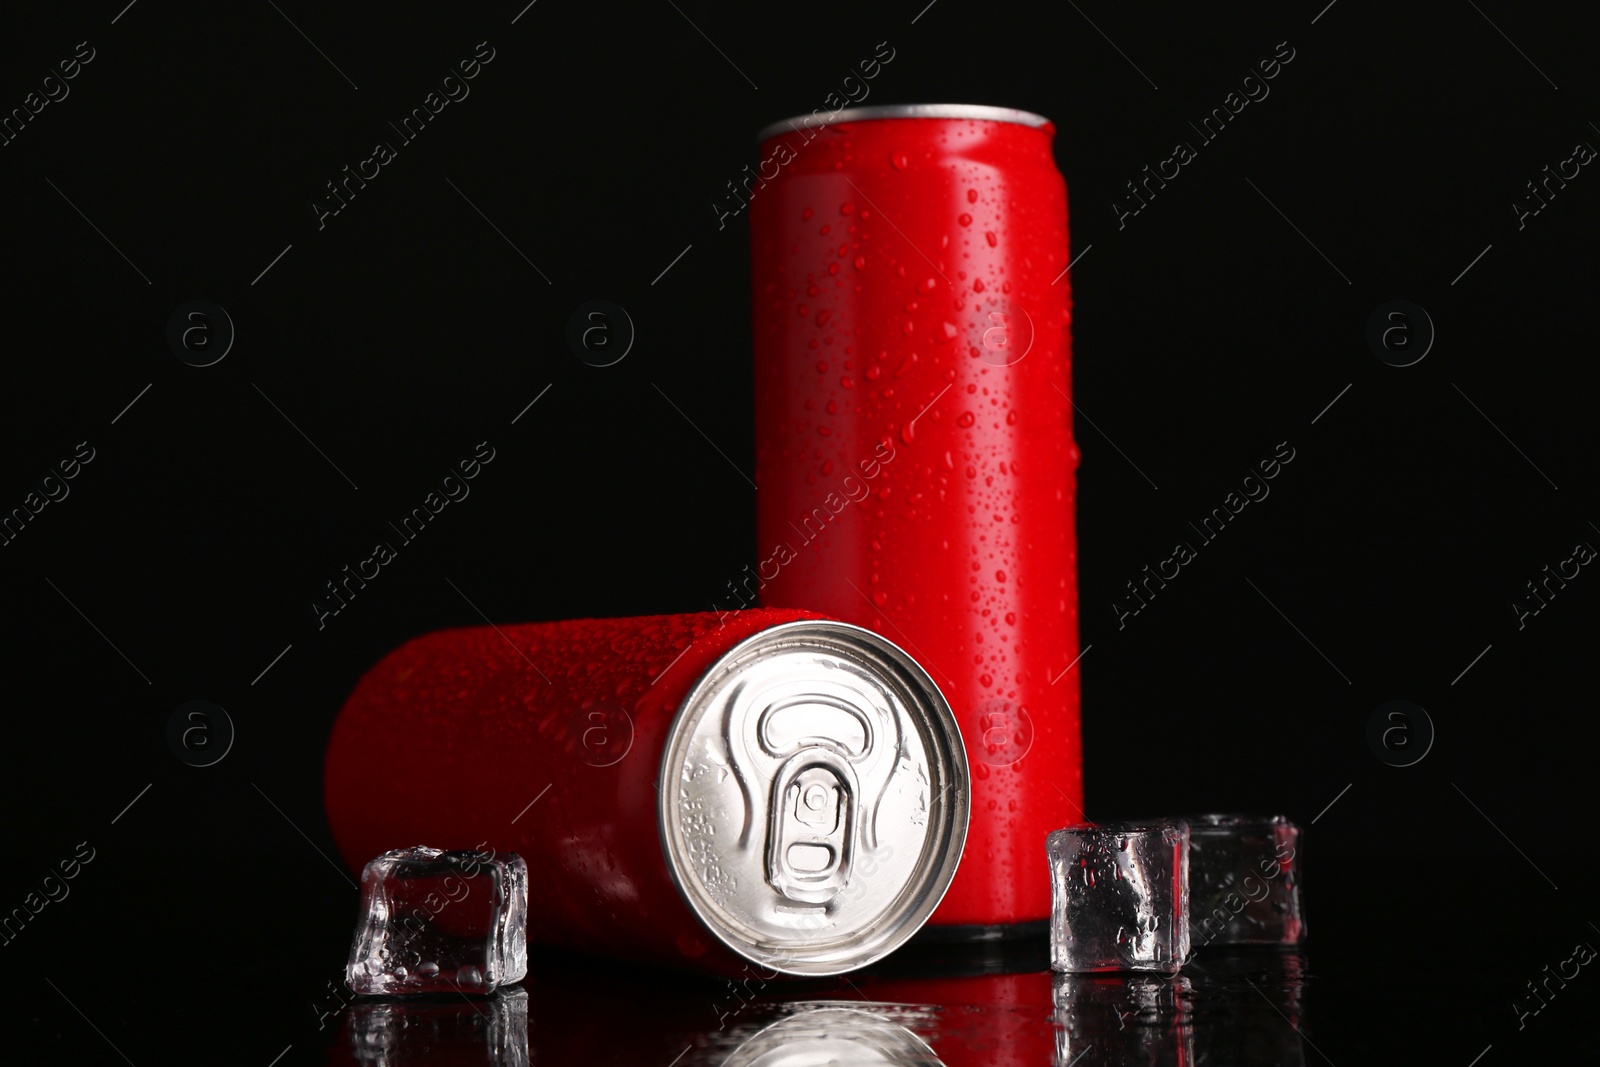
[(438, 922)]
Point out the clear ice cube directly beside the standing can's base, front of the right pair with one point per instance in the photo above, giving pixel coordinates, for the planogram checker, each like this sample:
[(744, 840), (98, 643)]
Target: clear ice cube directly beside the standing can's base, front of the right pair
[(1121, 898)]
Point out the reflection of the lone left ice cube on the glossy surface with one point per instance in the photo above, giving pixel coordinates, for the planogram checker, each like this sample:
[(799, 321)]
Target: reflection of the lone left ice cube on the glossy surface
[(452, 1031)]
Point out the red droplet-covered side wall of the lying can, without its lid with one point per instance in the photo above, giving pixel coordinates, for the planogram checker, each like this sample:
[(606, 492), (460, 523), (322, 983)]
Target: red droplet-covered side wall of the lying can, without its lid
[(489, 738)]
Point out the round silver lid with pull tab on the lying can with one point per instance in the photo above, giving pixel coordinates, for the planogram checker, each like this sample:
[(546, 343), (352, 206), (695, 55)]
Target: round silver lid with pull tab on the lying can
[(815, 797)]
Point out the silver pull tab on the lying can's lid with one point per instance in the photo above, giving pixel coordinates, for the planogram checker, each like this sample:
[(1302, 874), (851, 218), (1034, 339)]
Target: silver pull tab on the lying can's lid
[(812, 834)]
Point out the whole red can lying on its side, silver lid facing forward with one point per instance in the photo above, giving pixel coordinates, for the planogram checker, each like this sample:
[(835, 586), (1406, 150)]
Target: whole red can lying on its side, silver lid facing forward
[(727, 789)]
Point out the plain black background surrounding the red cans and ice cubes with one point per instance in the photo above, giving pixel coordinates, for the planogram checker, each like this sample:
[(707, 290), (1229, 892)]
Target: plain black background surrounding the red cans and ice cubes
[(1209, 329)]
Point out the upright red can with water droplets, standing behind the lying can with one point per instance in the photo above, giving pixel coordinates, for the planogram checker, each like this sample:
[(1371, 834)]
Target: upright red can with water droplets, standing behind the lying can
[(914, 439)]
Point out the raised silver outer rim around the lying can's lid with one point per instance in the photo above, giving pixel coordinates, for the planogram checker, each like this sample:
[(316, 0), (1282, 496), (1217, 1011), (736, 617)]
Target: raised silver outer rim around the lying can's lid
[(945, 746)]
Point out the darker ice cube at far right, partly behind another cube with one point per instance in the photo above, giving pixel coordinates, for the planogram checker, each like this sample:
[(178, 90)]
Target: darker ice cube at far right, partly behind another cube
[(1244, 882)]
